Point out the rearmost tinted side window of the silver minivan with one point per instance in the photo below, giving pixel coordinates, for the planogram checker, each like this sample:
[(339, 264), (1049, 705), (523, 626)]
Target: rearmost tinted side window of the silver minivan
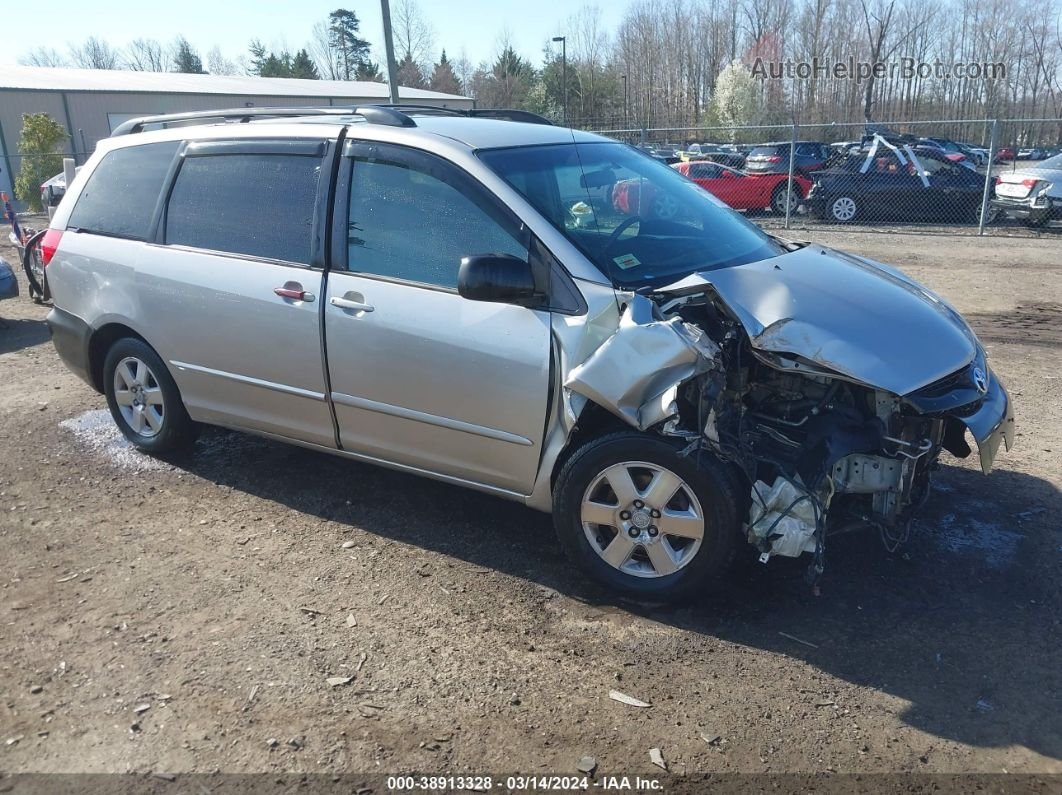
[(122, 194)]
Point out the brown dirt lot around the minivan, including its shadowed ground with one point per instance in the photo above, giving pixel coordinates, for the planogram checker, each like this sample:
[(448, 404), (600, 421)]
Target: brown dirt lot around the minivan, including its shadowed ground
[(186, 617)]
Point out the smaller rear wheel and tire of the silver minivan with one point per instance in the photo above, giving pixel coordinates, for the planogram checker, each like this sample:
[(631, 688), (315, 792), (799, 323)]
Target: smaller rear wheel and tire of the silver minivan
[(144, 400)]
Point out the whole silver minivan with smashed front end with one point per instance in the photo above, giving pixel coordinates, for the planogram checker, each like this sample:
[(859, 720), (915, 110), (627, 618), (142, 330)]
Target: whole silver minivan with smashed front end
[(535, 313)]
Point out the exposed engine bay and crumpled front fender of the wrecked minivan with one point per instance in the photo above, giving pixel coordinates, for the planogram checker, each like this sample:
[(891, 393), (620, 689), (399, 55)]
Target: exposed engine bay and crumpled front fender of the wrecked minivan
[(821, 452)]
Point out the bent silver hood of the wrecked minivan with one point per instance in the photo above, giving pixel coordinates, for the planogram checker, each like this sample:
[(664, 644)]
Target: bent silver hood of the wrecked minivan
[(858, 318)]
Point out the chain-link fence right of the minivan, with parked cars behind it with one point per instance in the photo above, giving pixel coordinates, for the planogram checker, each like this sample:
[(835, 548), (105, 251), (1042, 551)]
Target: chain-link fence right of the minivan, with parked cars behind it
[(980, 175)]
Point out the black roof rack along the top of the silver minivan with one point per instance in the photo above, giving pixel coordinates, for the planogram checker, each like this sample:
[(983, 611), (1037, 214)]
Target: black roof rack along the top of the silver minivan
[(396, 116)]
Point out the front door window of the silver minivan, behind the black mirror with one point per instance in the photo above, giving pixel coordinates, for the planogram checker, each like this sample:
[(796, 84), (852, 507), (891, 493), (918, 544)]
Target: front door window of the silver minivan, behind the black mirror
[(416, 222)]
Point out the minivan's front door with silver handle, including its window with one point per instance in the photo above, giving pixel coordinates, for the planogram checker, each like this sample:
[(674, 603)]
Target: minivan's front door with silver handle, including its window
[(420, 376)]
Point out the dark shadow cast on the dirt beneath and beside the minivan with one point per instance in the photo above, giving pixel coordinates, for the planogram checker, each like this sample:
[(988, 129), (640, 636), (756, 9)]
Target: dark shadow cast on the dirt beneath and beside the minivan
[(964, 623)]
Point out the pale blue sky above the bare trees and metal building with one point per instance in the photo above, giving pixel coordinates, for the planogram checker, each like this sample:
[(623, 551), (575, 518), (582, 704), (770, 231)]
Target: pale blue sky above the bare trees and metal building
[(473, 26)]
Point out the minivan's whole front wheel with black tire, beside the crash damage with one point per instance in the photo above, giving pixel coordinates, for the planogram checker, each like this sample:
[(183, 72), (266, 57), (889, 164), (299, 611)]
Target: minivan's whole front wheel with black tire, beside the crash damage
[(645, 522)]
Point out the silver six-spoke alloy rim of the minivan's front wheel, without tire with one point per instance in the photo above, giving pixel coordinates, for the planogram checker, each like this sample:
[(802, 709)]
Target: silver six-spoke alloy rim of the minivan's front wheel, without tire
[(643, 520)]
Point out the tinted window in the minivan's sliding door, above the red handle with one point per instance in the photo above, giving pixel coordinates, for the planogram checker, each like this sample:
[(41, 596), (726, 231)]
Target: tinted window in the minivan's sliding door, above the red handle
[(252, 204)]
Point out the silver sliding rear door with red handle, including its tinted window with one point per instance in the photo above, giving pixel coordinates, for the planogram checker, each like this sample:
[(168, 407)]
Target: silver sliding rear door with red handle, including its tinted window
[(233, 285)]
